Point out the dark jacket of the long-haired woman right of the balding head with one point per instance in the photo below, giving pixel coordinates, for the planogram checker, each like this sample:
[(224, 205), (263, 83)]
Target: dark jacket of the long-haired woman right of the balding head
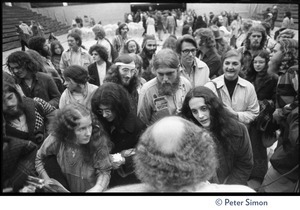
[(236, 167)]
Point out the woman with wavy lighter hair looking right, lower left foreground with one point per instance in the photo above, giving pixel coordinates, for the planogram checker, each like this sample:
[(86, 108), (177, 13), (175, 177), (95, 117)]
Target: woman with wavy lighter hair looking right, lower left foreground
[(80, 147)]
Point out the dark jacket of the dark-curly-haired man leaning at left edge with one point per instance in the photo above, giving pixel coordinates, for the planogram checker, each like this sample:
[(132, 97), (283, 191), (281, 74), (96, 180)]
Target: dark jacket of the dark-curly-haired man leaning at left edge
[(43, 87)]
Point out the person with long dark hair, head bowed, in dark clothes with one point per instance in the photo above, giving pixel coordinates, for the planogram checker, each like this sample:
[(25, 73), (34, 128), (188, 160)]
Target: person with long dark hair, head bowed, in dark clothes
[(111, 106)]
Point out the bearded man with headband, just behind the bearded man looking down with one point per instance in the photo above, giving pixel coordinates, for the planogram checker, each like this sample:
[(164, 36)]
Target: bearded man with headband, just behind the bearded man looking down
[(149, 47)]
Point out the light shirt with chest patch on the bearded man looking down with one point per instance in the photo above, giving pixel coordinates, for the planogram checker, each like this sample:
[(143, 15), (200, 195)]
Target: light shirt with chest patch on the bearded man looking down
[(152, 106)]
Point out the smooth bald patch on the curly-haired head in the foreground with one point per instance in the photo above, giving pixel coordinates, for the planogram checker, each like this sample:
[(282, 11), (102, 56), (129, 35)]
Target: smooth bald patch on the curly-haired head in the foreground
[(167, 134)]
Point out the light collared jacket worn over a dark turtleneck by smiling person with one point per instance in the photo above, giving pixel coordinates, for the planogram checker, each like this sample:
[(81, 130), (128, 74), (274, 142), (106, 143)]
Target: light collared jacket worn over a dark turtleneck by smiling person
[(244, 99)]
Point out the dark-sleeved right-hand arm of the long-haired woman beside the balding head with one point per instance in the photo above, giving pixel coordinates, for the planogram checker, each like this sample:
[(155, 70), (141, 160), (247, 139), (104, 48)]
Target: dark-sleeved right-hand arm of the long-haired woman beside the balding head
[(243, 159)]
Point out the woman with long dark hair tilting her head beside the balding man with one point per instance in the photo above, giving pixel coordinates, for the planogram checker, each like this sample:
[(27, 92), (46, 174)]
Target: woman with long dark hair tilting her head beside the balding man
[(203, 107)]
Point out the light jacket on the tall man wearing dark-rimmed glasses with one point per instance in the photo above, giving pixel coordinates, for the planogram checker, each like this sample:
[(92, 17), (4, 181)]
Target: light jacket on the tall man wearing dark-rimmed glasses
[(199, 75)]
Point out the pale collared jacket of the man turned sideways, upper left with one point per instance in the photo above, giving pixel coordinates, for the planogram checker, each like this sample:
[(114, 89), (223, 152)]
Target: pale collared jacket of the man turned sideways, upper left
[(70, 57)]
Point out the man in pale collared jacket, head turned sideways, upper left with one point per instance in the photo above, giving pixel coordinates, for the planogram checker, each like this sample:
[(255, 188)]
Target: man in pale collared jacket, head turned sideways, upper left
[(75, 55)]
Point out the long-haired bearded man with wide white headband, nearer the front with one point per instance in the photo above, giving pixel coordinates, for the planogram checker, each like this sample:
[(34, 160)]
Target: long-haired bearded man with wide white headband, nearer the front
[(125, 73)]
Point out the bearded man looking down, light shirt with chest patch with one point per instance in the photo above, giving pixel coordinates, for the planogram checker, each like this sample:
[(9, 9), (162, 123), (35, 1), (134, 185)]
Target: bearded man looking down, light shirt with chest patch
[(163, 95)]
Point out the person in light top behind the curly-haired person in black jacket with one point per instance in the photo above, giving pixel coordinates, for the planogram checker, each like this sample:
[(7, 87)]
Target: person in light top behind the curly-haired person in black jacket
[(100, 37)]
